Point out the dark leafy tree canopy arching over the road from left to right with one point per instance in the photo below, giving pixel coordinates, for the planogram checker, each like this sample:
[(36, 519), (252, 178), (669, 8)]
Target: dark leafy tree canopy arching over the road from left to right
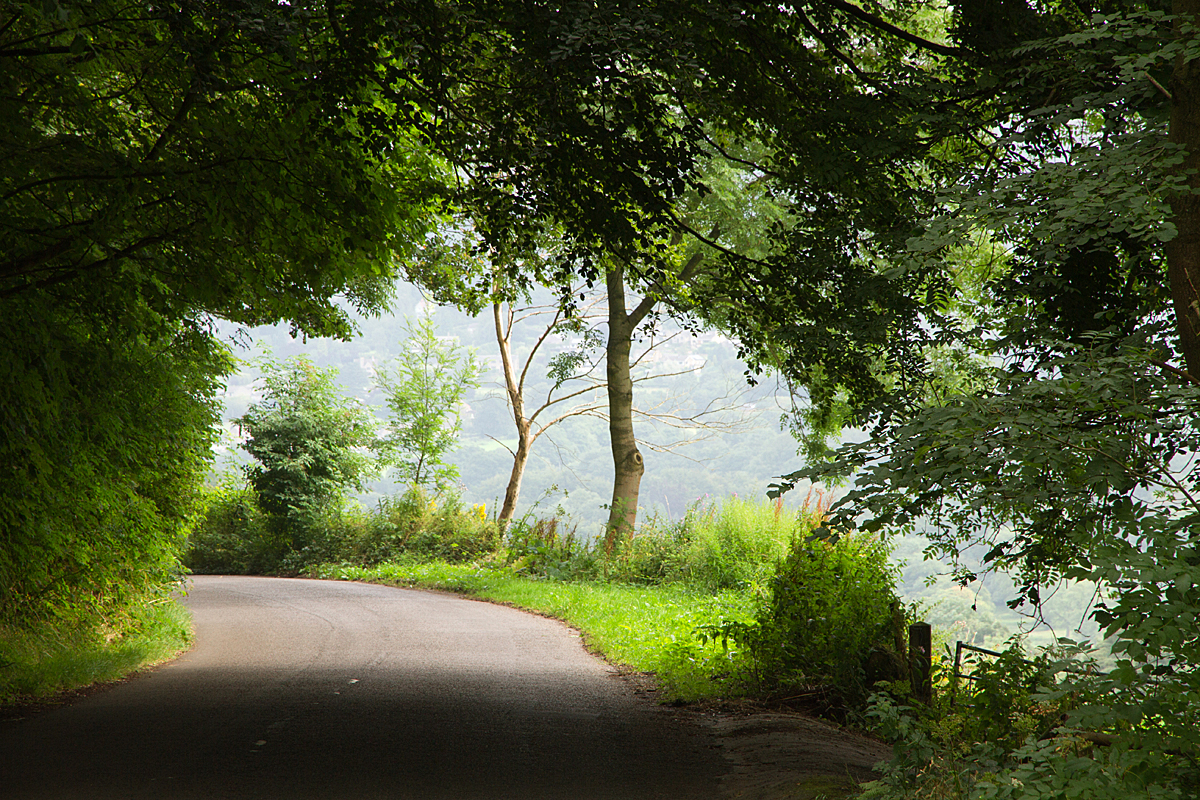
[(1004, 183)]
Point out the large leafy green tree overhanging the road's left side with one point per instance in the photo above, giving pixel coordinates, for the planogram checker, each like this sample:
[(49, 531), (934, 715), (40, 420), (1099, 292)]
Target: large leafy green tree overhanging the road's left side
[(164, 164)]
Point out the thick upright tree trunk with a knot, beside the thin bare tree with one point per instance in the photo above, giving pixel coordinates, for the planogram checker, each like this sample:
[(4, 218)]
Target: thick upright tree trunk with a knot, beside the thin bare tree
[(628, 462)]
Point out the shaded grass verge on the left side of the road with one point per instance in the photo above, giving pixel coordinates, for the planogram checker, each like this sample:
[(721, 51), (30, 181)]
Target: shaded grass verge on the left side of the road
[(39, 666)]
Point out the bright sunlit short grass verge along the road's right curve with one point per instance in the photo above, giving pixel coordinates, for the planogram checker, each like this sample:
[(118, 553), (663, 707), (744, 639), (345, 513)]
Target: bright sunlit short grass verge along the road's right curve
[(649, 629)]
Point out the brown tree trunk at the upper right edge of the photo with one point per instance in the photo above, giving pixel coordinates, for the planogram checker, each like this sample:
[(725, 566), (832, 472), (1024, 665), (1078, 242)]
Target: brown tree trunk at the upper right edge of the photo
[(1184, 251)]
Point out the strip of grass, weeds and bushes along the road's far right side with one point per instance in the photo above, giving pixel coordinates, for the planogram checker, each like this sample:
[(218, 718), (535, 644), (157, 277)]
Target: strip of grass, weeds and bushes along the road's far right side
[(734, 600)]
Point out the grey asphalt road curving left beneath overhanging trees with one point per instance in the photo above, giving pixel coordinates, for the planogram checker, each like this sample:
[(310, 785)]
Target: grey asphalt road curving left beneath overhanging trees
[(308, 689)]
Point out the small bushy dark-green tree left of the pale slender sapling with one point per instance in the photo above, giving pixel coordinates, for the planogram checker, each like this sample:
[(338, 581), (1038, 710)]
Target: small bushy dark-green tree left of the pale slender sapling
[(310, 443)]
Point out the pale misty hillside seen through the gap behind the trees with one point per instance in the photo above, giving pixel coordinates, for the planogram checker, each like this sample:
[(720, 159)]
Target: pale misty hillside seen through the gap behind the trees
[(683, 465)]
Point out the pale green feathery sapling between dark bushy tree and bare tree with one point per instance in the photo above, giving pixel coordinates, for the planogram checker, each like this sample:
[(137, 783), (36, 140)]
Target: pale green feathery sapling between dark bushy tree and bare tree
[(425, 388)]
